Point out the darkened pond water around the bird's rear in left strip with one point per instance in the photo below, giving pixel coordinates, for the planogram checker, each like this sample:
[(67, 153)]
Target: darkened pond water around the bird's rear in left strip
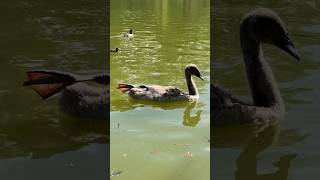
[(37, 141)]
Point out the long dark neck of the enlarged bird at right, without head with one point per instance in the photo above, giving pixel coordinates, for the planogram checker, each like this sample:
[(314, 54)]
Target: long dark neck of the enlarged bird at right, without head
[(264, 88)]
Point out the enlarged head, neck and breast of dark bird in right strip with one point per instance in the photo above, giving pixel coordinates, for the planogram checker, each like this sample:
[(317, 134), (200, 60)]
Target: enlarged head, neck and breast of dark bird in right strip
[(258, 27)]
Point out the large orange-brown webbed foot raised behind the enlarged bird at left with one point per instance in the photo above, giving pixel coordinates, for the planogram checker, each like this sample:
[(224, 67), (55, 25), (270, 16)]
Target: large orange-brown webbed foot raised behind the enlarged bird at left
[(48, 83)]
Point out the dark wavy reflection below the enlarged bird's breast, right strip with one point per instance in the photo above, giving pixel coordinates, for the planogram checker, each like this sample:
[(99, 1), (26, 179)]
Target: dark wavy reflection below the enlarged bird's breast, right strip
[(255, 140)]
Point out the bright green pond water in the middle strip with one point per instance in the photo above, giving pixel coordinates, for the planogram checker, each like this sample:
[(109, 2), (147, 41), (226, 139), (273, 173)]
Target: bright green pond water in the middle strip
[(159, 141)]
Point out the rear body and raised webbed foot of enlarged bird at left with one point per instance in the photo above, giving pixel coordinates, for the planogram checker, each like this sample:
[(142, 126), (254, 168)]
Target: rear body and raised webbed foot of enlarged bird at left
[(77, 98)]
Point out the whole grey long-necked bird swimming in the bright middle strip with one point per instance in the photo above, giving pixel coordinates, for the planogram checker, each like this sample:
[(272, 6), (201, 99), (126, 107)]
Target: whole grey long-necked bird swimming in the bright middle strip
[(166, 93)]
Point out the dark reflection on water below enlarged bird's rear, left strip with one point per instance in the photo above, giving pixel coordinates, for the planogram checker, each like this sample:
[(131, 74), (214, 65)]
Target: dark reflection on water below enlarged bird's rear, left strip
[(71, 135)]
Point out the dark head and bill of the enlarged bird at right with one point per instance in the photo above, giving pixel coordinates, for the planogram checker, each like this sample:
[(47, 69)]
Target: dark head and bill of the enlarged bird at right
[(265, 26)]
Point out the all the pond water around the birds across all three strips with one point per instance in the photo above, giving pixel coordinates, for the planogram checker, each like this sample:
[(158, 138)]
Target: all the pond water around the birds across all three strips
[(150, 140)]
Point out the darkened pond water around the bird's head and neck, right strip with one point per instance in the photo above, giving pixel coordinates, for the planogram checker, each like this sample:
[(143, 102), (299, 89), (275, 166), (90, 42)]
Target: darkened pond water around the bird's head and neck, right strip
[(290, 150)]
